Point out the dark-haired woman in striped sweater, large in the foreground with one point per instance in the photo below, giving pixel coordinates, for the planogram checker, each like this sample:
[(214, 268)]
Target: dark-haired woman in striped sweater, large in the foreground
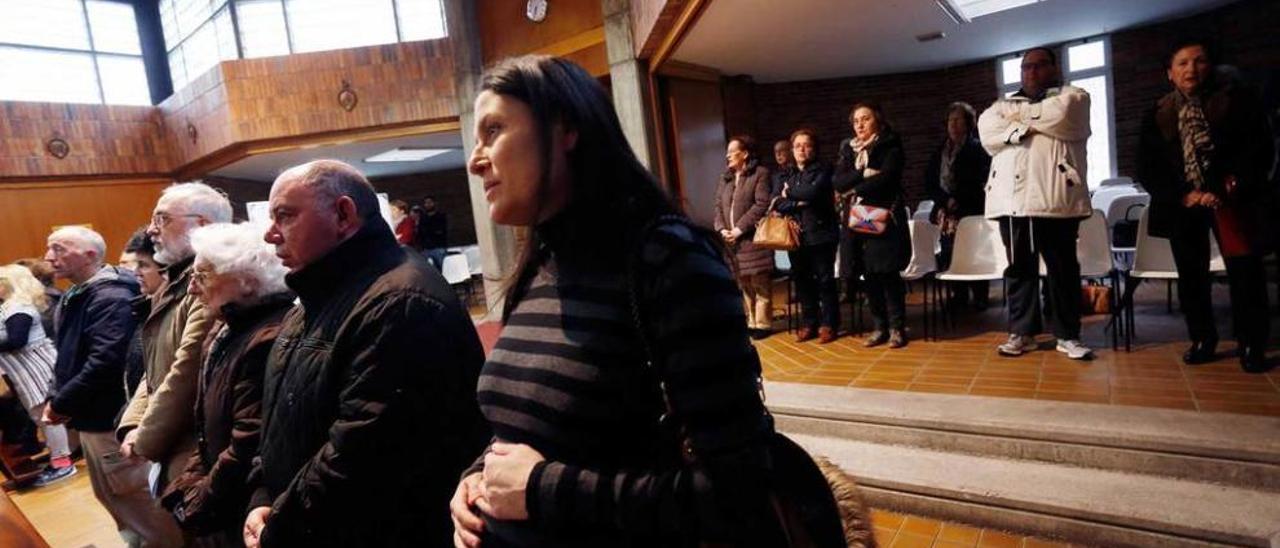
[(579, 456)]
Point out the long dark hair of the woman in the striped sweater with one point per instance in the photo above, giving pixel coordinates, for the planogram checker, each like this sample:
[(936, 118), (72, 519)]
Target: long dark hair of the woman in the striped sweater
[(612, 197)]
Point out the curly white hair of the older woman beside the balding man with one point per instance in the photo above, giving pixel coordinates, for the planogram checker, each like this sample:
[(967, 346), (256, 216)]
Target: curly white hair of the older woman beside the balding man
[(239, 250)]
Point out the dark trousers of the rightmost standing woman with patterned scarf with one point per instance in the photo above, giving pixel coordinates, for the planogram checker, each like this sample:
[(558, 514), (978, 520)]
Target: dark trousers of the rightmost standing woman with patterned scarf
[(1251, 323)]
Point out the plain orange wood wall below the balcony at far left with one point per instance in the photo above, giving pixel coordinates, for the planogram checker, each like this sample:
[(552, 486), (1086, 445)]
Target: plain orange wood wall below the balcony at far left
[(116, 208)]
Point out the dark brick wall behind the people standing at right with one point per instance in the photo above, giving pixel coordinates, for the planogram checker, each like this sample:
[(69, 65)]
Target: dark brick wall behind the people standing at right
[(916, 103)]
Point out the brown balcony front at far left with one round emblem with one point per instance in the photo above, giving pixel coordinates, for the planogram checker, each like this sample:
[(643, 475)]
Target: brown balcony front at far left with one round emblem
[(104, 140)]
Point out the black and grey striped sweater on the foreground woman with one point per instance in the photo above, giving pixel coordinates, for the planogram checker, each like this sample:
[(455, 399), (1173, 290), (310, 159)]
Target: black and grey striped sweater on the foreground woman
[(568, 377)]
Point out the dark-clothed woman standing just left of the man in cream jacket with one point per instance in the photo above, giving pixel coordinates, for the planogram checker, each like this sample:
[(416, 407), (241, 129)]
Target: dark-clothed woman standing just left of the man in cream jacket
[(957, 180)]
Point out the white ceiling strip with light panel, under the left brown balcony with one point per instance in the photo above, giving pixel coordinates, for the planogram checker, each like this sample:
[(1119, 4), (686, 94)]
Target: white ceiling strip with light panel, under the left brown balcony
[(266, 167)]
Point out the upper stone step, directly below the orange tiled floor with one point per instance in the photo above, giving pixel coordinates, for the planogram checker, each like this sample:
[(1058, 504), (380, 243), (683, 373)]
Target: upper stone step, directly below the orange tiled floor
[(1232, 450)]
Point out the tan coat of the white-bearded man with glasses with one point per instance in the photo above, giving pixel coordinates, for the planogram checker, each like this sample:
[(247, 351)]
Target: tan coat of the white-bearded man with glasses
[(163, 408)]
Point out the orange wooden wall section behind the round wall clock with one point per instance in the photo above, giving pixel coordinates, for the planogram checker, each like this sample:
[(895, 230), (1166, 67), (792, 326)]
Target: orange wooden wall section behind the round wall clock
[(570, 26)]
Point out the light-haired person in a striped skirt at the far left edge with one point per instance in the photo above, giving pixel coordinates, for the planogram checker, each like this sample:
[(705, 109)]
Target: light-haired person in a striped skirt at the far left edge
[(28, 358)]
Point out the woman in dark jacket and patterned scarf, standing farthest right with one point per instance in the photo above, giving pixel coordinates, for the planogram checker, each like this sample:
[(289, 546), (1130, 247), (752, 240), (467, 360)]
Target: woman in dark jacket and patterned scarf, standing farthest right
[(1205, 154)]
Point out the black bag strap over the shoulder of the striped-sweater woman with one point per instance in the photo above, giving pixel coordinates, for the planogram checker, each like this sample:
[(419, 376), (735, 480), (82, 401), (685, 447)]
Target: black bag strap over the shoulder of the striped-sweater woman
[(688, 453)]
